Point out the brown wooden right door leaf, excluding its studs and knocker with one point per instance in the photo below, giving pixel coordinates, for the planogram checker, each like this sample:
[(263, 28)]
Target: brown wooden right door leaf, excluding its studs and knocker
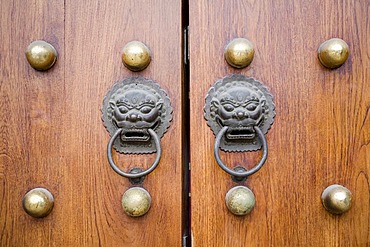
[(321, 133)]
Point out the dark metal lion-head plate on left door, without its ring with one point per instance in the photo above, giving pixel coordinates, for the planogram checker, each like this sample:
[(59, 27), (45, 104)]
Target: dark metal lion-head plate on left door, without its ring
[(130, 109)]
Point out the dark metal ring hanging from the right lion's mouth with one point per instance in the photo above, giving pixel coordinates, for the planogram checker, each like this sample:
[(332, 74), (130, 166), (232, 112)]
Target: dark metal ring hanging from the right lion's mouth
[(246, 173)]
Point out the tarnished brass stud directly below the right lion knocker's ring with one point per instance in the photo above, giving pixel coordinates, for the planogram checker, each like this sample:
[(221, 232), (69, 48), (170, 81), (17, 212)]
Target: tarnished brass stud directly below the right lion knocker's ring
[(240, 200)]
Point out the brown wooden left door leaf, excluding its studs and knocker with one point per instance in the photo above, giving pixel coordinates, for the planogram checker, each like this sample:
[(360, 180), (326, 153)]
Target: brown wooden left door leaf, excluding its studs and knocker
[(51, 131)]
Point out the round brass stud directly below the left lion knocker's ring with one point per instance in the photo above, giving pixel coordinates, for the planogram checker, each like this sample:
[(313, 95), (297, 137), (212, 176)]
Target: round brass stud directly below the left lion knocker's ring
[(136, 201)]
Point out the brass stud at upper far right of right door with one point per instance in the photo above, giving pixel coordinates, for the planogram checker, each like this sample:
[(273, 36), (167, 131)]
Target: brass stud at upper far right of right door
[(333, 53)]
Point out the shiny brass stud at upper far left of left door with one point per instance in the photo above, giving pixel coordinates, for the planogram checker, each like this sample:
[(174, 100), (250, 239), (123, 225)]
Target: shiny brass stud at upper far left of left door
[(41, 55)]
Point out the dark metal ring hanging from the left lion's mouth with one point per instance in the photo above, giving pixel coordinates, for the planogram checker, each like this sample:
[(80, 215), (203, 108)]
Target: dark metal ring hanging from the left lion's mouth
[(134, 175)]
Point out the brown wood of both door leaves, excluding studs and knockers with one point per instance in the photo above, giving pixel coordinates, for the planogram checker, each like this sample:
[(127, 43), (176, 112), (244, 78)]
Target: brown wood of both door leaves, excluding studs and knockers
[(52, 135)]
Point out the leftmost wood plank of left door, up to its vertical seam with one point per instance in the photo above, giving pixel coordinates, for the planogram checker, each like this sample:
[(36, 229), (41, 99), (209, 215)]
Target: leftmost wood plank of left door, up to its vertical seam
[(31, 111)]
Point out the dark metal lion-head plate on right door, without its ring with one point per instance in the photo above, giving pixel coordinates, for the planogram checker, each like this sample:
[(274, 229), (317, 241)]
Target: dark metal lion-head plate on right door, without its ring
[(243, 105)]
